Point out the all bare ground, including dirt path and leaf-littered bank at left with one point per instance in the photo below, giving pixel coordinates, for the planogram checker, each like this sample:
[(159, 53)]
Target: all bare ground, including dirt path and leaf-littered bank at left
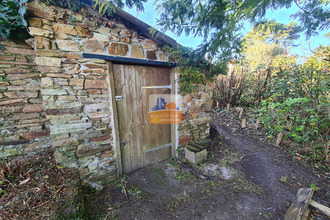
[(248, 178)]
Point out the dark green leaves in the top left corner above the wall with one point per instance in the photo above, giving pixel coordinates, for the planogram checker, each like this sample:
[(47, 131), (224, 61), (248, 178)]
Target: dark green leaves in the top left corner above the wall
[(12, 19)]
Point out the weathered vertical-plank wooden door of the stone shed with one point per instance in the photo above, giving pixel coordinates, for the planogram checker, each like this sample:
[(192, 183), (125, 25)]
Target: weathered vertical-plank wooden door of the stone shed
[(136, 135)]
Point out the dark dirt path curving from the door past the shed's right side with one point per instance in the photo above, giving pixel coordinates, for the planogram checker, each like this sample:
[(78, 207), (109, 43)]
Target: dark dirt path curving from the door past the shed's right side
[(248, 180)]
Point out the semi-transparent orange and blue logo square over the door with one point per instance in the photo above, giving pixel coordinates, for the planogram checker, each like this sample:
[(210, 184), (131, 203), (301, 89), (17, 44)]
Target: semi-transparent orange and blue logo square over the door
[(165, 109)]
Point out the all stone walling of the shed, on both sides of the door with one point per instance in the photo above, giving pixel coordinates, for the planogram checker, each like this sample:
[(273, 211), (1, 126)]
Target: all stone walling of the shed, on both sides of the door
[(51, 97)]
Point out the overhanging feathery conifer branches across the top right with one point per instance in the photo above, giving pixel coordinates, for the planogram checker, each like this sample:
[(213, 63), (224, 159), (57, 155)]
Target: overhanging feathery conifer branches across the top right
[(220, 22)]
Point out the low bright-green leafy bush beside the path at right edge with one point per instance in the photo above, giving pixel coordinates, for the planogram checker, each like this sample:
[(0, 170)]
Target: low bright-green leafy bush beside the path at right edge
[(296, 117)]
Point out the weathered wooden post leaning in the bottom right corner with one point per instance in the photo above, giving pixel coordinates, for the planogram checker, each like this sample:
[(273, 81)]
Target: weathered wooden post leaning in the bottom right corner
[(299, 208)]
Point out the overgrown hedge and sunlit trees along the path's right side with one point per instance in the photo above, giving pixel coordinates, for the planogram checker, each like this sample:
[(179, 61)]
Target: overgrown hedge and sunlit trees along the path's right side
[(286, 95)]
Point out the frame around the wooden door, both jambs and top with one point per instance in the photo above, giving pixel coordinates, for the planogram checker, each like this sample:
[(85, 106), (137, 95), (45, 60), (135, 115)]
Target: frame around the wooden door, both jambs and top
[(174, 74)]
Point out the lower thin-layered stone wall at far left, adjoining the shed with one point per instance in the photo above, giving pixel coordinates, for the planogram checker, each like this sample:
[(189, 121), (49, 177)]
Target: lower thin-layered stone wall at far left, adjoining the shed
[(24, 127)]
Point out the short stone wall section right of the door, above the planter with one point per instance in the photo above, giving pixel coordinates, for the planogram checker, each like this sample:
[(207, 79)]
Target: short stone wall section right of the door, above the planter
[(196, 120)]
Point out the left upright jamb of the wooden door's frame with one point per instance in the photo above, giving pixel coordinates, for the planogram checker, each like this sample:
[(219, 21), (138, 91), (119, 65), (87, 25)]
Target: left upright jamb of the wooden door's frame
[(114, 119)]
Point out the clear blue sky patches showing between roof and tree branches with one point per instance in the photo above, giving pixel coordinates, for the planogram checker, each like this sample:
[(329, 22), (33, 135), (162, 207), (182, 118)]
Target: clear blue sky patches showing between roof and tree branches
[(282, 15)]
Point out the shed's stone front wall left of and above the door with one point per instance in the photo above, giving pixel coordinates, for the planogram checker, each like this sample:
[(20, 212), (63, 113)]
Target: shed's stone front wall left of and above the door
[(75, 91)]
